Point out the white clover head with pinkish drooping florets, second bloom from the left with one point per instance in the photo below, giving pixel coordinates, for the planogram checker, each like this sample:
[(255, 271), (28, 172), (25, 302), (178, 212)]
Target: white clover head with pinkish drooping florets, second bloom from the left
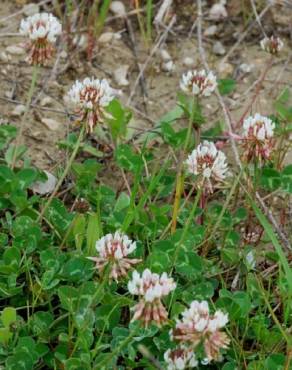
[(89, 98)]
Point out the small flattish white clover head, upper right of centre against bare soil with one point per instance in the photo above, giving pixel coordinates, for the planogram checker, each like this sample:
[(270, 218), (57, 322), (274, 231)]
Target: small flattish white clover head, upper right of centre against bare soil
[(198, 83)]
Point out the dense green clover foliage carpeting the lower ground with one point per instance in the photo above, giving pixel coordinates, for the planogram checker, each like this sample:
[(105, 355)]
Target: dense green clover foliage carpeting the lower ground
[(61, 310)]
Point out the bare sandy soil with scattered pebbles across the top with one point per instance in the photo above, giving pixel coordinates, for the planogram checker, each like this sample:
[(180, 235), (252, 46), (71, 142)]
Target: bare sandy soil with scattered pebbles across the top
[(161, 87)]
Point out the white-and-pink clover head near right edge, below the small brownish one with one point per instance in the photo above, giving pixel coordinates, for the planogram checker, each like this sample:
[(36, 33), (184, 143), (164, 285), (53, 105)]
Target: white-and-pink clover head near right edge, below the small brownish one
[(258, 132)]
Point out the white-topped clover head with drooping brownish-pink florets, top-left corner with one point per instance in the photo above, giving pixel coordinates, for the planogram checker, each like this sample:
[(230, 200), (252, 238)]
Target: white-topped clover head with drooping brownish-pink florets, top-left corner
[(42, 29)]
